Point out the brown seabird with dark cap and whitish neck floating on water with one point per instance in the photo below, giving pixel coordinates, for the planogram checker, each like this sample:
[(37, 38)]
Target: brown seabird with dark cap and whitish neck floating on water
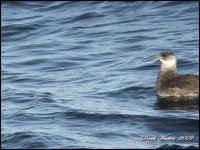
[(172, 84)]
